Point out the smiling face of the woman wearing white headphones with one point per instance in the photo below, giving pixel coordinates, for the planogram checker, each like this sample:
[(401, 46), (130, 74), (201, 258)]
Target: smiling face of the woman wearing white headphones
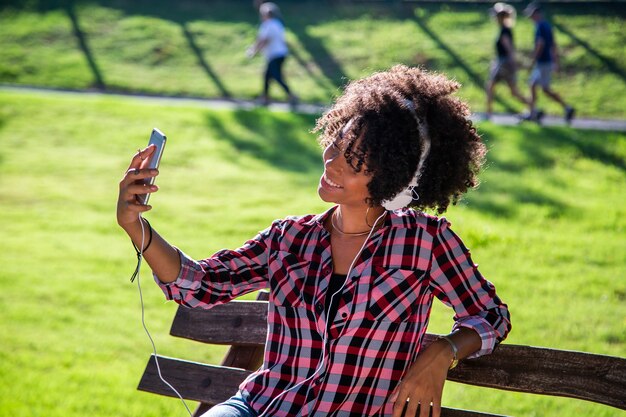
[(340, 182)]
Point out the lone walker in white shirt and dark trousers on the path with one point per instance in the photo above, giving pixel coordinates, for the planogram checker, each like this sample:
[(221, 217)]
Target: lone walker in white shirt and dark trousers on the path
[(271, 40)]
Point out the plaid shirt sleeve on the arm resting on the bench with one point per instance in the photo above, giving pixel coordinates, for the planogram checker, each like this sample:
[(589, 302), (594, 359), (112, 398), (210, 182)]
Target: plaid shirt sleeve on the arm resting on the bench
[(456, 281)]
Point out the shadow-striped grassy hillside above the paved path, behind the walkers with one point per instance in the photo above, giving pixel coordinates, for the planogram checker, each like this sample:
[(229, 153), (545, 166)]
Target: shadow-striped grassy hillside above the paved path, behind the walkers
[(196, 48)]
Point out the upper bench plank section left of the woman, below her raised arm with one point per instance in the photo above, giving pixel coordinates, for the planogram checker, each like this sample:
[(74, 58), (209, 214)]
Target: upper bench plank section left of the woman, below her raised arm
[(233, 323)]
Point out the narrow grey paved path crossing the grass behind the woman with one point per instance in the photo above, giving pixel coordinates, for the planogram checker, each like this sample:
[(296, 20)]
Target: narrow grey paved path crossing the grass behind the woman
[(498, 118)]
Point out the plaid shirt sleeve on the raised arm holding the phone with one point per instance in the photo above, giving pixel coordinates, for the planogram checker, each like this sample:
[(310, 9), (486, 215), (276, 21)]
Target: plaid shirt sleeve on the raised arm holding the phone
[(222, 277)]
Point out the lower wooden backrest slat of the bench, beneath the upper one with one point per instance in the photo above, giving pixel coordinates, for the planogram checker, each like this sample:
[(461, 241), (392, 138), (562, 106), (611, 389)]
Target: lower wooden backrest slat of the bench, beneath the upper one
[(213, 384)]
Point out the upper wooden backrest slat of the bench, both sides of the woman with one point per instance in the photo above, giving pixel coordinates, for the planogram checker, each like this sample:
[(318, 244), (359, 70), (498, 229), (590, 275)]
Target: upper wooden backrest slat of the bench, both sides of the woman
[(586, 376)]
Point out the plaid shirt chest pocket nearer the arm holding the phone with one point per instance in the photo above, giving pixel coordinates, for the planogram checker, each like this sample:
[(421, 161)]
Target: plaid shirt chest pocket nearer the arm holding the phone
[(288, 276)]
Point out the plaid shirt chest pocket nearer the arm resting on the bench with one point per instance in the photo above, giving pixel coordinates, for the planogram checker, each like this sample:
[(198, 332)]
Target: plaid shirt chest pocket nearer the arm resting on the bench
[(394, 294)]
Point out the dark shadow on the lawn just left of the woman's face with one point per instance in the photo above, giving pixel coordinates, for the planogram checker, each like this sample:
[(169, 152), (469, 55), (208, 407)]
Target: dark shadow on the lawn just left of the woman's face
[(276, 140)]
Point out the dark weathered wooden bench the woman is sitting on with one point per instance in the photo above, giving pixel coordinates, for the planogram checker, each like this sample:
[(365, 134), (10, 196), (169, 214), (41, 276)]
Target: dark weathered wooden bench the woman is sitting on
[(242, 324)]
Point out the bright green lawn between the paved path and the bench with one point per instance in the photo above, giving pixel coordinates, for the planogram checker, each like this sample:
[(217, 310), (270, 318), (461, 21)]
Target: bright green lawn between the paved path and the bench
[(547, 226)]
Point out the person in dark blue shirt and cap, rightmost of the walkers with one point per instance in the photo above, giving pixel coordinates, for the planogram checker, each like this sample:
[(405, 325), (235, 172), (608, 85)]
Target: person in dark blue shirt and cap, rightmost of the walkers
[(545, 59)]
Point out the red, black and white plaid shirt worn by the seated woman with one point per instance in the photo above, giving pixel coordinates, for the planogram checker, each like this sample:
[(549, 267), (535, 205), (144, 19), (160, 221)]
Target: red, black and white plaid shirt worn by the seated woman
[(348, 367)]
